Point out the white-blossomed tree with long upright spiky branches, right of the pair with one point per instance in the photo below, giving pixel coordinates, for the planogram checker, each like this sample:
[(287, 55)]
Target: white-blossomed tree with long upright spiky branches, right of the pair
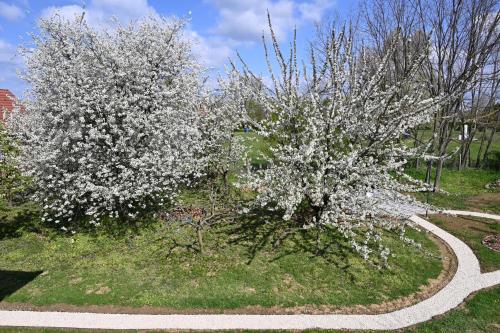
[(336, 133)]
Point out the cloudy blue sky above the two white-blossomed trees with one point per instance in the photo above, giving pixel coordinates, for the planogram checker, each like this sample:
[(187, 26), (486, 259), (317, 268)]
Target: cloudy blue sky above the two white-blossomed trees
[(218, 27)]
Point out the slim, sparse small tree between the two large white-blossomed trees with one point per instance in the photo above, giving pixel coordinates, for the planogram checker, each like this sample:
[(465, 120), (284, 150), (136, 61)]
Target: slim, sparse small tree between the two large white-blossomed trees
[(221, 115)]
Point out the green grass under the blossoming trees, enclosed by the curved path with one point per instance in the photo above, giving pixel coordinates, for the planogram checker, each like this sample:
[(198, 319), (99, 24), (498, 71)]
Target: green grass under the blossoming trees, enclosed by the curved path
[(160, 267)]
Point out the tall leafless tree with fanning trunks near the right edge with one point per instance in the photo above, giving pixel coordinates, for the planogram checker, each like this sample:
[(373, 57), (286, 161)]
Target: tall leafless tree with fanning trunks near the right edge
[(463, 34)]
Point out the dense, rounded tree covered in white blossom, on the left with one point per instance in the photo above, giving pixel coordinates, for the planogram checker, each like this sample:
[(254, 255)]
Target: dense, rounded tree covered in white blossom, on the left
[(111, 126)]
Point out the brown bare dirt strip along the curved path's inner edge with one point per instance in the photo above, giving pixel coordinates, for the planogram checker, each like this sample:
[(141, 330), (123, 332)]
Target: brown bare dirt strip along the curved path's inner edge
[(448, 259)]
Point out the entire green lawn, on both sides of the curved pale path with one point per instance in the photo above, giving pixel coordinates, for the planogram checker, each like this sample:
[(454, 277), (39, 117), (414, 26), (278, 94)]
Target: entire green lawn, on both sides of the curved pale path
[(158, 267)]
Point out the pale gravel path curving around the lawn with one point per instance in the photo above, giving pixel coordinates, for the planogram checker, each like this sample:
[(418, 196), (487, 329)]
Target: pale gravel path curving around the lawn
[(467, 279)]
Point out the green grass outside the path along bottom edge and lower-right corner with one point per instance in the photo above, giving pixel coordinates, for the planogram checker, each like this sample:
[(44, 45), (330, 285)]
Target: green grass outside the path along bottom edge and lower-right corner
[(481, 314)]
